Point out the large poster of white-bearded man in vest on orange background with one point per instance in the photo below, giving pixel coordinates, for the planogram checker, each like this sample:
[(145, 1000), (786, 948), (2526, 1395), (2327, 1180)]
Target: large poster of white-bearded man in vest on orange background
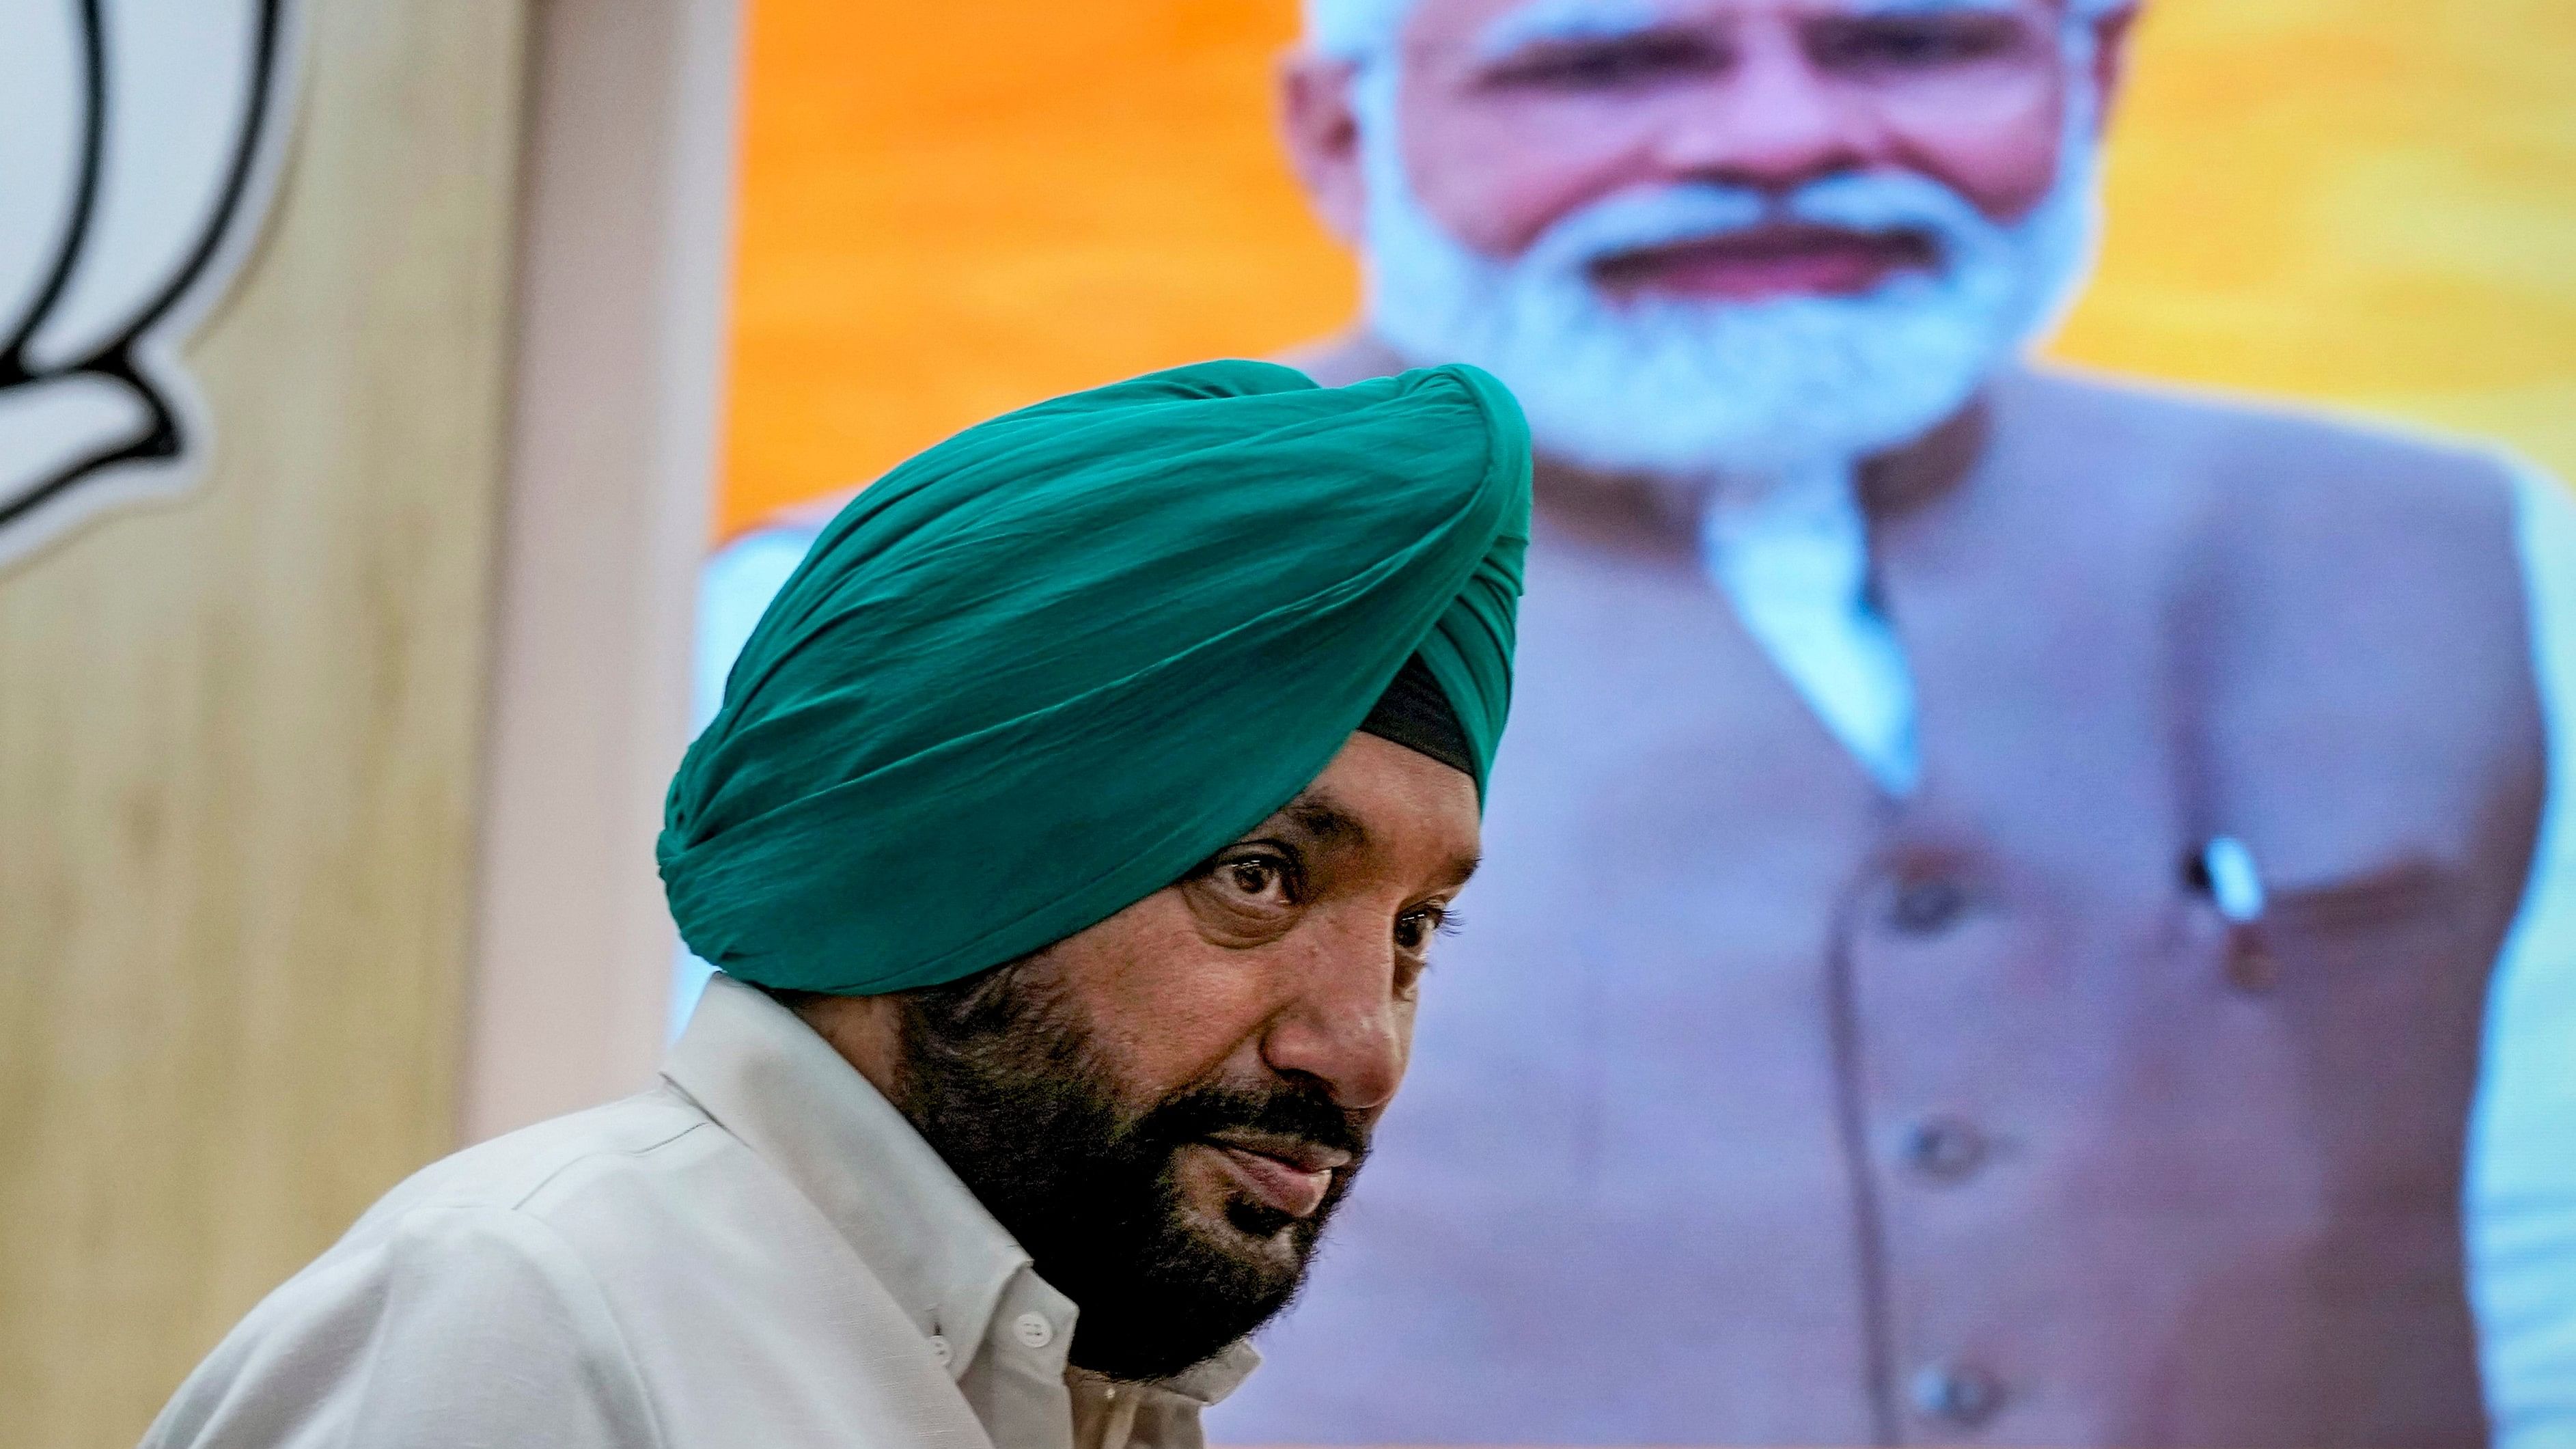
[(2021, 904)]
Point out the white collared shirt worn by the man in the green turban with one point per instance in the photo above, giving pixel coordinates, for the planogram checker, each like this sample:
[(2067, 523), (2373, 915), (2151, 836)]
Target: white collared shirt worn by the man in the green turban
[(759, 1252)]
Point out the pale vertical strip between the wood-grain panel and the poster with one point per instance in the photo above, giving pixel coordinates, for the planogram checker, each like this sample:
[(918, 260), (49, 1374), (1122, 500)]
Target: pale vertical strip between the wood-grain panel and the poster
[(622, 326)]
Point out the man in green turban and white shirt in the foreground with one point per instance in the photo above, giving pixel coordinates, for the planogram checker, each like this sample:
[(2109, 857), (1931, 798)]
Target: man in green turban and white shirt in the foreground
[(1070, 844)]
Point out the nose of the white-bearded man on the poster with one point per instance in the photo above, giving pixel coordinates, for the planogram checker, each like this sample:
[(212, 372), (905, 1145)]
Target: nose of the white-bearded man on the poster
[(1774, 120)]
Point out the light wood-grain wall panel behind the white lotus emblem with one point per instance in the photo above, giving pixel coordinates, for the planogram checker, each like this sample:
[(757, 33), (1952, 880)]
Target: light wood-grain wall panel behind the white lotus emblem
[(238, 754)]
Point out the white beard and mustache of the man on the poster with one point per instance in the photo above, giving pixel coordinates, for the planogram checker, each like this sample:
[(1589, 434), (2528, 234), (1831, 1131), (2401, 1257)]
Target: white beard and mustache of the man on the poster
[(1727, 388)]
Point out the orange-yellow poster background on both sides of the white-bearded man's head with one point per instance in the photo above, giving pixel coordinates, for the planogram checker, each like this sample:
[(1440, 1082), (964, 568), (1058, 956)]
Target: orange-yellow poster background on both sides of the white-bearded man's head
[(952, 210)]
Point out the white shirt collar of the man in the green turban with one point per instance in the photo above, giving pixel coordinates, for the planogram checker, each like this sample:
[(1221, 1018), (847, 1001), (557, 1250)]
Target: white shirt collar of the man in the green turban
[(790, 1097)]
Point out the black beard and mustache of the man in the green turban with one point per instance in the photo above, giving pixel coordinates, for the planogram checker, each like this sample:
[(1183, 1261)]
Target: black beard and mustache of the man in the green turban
[(1001, 1076)]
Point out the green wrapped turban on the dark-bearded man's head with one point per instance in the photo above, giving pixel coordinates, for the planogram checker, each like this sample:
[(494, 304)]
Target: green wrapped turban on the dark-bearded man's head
[(1063, 659)]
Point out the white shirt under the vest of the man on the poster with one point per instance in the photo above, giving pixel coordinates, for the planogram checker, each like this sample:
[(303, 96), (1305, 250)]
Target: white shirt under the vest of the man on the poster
[(1794, 563)]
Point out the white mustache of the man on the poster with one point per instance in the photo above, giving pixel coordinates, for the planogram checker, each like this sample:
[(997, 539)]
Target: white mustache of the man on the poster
[(1668, 215)]
